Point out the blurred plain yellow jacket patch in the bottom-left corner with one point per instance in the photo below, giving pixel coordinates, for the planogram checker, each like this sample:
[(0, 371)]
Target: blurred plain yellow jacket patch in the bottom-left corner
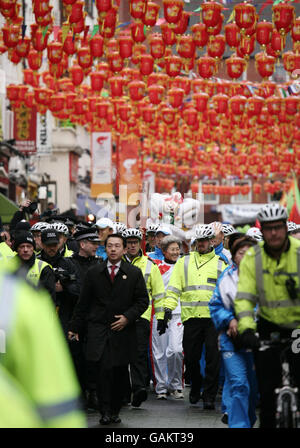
[(16, 410)]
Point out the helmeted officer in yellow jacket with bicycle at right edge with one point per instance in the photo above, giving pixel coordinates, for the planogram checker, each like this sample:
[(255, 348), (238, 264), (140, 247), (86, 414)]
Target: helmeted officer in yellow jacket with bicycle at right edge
[(269, 277)]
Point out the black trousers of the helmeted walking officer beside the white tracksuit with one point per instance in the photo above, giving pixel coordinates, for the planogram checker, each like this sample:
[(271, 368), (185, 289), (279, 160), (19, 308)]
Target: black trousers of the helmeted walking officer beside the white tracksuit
[(199, 331)]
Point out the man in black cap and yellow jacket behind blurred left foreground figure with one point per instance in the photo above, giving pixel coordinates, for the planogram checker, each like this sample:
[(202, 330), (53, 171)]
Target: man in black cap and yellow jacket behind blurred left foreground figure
[(37, 272)]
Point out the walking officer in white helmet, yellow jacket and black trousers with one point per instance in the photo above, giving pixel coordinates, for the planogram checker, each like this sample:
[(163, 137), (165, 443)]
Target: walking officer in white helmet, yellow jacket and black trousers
[(193, 280)]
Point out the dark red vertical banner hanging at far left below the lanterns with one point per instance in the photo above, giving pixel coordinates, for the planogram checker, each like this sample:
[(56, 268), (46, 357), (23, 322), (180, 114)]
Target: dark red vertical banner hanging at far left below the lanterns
[(25, 129)]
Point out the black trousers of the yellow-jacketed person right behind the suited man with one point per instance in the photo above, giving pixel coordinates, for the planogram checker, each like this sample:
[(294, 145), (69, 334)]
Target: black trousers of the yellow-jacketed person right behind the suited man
[(139, 370)]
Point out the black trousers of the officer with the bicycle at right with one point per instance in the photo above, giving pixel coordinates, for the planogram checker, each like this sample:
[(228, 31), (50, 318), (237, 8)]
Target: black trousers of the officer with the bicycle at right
[(269, 372)]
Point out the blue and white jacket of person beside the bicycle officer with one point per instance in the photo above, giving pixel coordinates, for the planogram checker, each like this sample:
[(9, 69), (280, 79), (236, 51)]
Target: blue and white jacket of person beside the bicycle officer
[(221, 305)]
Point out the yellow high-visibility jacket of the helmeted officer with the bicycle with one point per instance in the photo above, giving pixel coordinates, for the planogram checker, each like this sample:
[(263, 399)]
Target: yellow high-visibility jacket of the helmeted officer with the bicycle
[(262, 281)]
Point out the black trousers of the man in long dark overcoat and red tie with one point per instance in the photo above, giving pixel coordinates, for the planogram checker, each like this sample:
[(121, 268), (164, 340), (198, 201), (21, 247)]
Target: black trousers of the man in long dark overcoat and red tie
[(110, 384)]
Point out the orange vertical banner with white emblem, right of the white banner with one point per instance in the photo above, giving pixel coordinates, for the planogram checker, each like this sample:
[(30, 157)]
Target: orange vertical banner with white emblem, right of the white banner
[(129, 169)]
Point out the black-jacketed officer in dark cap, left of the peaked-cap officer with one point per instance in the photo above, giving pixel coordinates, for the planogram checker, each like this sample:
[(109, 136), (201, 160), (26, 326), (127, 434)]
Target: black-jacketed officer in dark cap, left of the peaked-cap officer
[(67, 284)]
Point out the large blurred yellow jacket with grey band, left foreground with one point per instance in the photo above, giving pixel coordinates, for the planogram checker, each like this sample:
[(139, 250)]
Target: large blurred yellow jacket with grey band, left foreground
[(33, 350)]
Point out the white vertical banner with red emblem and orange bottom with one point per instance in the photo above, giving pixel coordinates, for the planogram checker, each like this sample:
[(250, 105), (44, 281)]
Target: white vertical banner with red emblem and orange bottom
[(101, 170)]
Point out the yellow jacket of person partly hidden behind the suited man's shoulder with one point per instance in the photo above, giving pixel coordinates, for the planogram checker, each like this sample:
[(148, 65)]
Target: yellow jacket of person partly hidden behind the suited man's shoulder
[(154, 283)]
